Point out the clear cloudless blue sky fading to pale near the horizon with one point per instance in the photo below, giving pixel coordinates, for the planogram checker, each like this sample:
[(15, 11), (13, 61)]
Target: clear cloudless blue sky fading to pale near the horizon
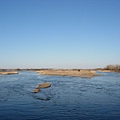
[(59, 33)]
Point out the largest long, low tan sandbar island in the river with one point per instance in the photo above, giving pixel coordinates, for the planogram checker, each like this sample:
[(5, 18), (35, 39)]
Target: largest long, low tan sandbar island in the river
[(74, 73)]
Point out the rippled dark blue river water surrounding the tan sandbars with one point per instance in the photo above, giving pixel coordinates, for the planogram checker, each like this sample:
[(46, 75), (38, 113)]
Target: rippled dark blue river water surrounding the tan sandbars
[(69, 98)]
